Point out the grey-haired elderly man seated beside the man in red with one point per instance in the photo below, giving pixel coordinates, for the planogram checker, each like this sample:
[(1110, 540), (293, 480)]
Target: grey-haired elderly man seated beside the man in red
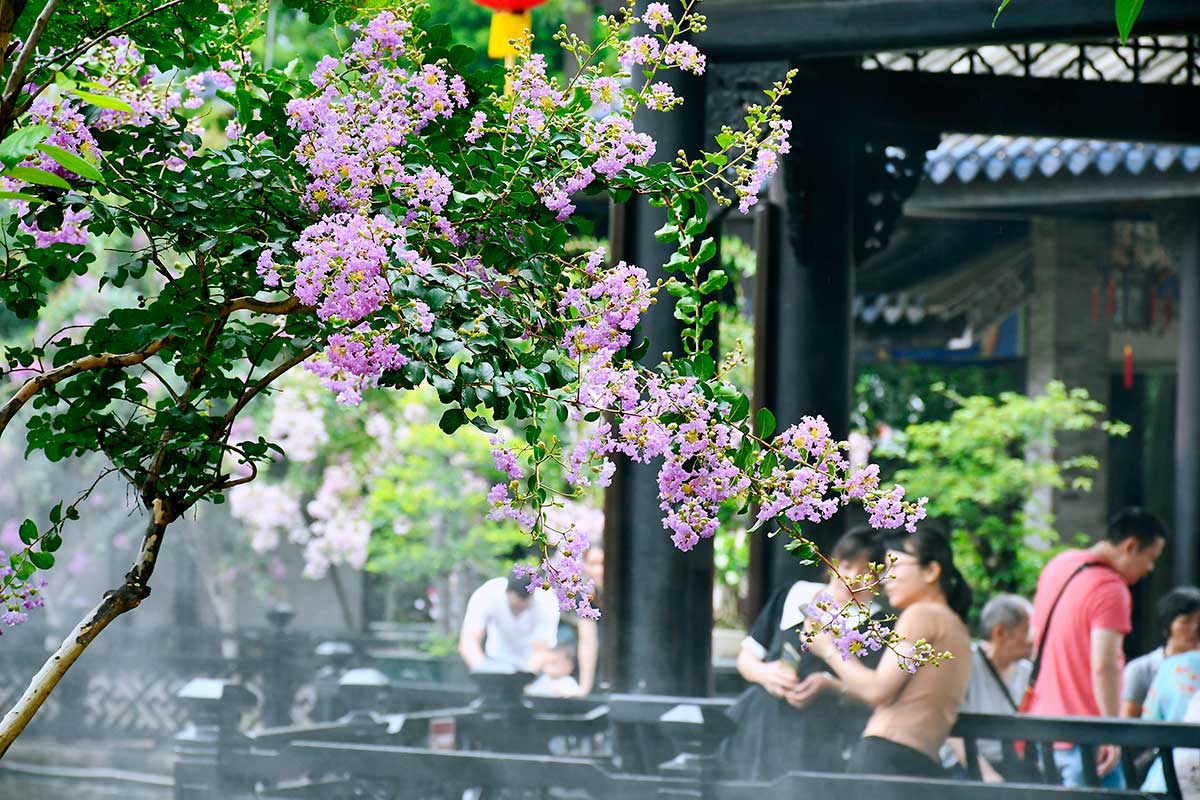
[(1000, 671)]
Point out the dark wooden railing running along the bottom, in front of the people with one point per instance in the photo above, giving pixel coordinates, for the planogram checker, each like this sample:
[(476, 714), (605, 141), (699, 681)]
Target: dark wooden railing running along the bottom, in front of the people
[(507, 749)]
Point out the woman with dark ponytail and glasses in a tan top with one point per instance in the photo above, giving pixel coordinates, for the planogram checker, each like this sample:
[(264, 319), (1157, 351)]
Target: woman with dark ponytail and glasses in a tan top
[(914, 711)]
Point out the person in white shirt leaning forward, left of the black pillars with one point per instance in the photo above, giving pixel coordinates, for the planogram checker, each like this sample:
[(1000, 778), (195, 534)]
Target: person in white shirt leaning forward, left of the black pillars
[(506, 625)]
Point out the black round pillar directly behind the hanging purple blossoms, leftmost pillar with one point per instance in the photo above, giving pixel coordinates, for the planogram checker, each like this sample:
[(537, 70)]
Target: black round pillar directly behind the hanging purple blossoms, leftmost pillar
[(658, 603)]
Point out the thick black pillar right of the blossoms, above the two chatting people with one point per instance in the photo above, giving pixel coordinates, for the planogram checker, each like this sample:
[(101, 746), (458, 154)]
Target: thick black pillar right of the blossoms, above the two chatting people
[(803, 315)]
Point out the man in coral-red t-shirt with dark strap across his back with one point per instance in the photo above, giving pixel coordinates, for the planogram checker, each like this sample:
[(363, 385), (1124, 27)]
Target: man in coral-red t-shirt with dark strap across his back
[(1093, 610)]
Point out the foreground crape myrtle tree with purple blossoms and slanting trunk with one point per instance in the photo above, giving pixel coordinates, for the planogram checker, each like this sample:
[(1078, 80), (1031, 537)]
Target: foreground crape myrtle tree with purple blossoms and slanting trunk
[(394, 219)]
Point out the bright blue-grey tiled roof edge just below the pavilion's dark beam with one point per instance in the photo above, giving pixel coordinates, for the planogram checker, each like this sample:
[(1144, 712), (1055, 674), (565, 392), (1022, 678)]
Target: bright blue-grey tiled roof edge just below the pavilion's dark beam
[(965, 159)]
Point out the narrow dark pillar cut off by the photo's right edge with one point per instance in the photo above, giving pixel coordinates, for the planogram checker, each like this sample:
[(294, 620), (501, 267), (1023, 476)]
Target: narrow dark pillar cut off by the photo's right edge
[(1187, 400)]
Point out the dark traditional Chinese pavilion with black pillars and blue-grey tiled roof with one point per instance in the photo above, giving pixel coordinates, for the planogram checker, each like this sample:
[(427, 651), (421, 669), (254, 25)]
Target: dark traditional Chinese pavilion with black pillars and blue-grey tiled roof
[(1027, 190)]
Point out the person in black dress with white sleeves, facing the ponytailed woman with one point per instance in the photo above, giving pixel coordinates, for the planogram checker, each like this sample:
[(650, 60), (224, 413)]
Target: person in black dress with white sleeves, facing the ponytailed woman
[(794, 715)]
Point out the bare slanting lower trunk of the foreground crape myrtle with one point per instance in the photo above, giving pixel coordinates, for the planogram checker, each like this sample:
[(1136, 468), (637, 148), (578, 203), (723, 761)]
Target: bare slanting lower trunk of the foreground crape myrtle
[(125, 598)]
